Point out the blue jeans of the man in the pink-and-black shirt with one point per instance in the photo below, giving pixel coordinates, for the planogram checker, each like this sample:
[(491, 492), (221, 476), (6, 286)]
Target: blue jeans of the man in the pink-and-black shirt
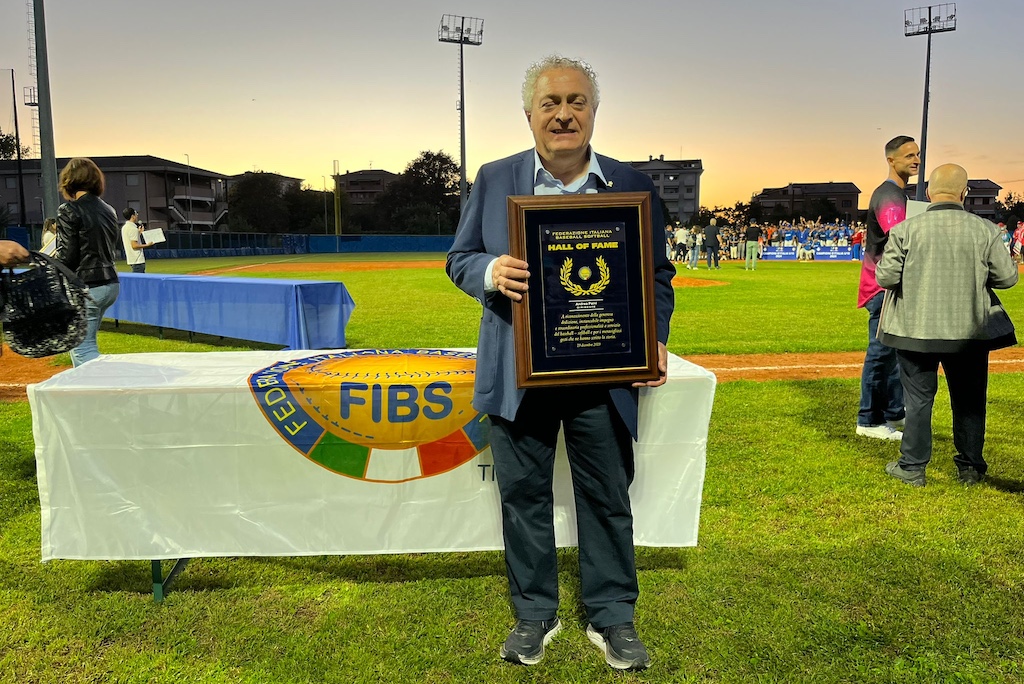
[(881, 392)]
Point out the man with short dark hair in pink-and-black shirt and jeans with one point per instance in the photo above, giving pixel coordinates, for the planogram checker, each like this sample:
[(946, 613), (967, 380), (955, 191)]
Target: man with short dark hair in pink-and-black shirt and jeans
[(882, 412)]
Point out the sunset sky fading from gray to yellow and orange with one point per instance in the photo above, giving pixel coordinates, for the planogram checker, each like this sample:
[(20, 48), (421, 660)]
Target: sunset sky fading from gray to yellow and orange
[(764, 94)]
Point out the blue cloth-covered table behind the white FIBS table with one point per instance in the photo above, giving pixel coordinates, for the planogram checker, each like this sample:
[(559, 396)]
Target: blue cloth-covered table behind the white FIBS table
[(302, 315)]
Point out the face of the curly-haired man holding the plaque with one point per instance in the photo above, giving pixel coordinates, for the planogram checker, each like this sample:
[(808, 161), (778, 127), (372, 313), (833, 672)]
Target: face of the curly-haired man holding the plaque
[(563, 114)]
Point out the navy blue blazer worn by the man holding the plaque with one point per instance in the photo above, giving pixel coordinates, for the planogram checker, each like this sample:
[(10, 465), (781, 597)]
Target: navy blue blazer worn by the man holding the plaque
[(484, 235)]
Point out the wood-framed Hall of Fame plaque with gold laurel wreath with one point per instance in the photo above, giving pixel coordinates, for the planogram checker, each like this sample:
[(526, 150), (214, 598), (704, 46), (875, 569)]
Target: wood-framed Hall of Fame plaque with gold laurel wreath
[(589, 314)]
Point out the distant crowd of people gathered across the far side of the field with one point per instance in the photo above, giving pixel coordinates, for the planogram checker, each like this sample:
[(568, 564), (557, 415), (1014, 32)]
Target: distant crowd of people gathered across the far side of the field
[(687, 244)]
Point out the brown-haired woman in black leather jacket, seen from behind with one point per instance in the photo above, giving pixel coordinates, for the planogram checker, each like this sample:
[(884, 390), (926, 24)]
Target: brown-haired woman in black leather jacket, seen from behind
[(88, 236)]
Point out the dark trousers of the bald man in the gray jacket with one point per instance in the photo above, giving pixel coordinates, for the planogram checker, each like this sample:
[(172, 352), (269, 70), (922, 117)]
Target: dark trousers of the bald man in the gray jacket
[(967, 378)]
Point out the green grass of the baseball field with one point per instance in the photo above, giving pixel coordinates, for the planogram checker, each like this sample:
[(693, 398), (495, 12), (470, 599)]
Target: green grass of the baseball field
[(813, 567)]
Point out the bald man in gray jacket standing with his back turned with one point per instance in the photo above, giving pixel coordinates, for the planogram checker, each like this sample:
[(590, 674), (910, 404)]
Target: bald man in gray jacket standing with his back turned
[(940, 270)]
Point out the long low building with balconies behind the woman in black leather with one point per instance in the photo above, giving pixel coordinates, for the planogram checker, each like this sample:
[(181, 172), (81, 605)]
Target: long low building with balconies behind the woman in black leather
[(166, 195)]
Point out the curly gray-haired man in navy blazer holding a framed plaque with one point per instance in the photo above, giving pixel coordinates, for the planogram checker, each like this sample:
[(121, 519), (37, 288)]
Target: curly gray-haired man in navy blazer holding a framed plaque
[(561, 100)]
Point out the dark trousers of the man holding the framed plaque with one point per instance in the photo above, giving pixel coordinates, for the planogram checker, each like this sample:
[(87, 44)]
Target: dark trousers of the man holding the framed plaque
[(601, 455)]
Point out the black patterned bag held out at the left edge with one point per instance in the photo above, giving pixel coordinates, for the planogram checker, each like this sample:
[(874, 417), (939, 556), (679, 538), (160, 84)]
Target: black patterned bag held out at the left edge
[(42, 309)]
